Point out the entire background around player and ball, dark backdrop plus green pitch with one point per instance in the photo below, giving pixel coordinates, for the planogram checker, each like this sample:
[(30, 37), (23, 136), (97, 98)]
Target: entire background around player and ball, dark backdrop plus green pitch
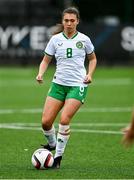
[(25, 28)]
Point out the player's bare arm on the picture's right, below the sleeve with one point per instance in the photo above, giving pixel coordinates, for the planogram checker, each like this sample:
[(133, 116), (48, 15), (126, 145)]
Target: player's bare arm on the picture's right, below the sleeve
[(91, 67)]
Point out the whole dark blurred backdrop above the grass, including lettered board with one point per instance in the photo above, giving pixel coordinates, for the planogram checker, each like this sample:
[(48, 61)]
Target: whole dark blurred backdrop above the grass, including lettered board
[(26, 26)]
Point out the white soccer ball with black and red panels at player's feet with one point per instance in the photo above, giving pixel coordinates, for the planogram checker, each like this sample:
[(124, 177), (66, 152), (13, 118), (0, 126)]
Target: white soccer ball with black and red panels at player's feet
[(42, 159)]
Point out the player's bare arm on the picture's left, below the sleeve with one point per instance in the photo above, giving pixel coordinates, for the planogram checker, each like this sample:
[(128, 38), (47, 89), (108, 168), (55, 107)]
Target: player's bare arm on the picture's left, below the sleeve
[(43, 67)]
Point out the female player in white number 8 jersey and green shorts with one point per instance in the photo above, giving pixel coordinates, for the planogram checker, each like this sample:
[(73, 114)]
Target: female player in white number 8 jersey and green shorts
[(70, 81)]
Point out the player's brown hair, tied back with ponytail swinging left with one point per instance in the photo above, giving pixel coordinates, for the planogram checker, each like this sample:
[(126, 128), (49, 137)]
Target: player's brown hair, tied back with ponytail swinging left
[(70, 10)]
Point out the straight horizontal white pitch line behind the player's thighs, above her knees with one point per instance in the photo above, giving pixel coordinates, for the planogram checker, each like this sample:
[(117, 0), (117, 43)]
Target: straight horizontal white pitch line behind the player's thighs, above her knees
[(82, 110)]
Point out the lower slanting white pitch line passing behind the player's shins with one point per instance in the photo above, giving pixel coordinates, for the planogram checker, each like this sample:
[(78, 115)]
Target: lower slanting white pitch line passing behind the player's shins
[(19, 127)]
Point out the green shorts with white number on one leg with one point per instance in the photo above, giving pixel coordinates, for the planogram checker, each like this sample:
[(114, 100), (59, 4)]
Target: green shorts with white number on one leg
[(62, 93)]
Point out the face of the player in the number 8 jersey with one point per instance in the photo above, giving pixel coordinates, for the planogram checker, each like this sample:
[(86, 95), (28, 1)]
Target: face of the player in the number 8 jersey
[(70, 22)]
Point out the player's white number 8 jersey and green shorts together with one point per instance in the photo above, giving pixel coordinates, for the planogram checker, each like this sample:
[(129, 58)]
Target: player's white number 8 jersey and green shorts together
[(70, 72)]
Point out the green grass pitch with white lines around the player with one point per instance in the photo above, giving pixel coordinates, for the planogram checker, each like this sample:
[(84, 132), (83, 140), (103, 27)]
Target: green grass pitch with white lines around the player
[(94, 150)]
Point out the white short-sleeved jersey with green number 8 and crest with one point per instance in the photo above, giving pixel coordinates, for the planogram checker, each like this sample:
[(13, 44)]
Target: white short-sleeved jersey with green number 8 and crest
[(70, 57)]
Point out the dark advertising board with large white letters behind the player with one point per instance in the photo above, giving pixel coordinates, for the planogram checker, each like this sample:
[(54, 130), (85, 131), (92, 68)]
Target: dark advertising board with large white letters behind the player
[(114, 45)]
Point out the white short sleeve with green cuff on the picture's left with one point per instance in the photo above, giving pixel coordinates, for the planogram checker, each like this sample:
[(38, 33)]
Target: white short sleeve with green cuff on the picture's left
[(50, 49)]
